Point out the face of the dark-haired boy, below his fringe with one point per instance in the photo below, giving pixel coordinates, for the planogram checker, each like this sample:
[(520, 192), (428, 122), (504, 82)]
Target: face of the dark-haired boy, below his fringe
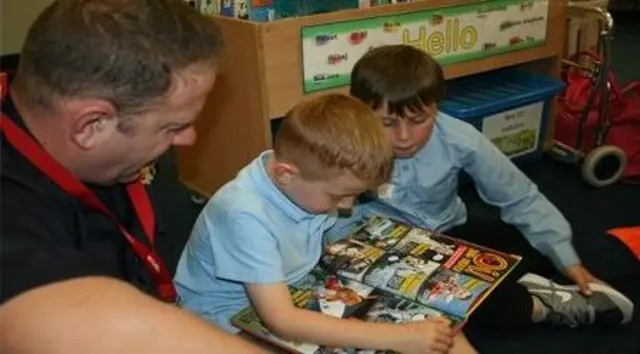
[(408, 133)]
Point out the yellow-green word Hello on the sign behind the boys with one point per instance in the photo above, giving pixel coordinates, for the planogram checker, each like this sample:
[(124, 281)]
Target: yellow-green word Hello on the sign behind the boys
[(452, 39)]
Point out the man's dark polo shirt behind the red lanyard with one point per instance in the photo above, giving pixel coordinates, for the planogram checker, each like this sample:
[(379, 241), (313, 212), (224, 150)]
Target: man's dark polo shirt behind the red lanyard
[(49, 236)]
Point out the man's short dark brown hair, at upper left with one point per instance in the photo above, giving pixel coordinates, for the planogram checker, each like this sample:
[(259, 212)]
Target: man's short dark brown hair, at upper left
[(123, 51)]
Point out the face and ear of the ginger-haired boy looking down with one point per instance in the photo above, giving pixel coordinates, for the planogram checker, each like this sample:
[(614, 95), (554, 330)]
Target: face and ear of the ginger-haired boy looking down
[(337, 192)]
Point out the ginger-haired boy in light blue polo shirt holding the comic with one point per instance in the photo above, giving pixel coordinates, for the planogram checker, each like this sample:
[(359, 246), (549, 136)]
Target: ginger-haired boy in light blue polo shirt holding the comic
[(265, 229)]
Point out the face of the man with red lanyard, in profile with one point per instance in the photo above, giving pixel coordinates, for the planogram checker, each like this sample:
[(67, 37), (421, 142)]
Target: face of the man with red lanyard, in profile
[(167, 123)]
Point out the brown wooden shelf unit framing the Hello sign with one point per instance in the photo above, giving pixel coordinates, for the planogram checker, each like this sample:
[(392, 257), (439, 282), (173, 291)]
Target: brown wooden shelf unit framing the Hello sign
[(260, 78)]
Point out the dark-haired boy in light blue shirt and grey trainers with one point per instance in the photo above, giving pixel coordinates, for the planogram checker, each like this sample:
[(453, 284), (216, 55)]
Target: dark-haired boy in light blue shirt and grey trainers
[(404, 86)]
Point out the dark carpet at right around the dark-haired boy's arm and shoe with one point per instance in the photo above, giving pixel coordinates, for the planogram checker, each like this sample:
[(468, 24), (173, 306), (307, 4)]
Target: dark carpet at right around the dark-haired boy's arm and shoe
[(591, 212)]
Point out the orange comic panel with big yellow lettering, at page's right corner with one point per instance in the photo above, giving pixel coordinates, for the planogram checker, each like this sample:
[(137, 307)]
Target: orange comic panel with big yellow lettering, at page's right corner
[(481, 263)]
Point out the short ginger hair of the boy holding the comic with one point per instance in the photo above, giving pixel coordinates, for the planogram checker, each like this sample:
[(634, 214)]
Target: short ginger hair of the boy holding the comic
[(335, 132)]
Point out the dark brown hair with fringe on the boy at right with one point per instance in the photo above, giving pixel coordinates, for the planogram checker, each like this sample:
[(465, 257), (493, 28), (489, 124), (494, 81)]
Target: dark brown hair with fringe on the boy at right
[(402, 76)]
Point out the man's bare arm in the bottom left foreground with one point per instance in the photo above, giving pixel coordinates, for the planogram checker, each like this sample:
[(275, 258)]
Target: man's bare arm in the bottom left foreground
[(100, 315)]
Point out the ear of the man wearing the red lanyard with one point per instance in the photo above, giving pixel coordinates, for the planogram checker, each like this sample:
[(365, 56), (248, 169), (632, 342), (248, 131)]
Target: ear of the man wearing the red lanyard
[(92, 122)]
